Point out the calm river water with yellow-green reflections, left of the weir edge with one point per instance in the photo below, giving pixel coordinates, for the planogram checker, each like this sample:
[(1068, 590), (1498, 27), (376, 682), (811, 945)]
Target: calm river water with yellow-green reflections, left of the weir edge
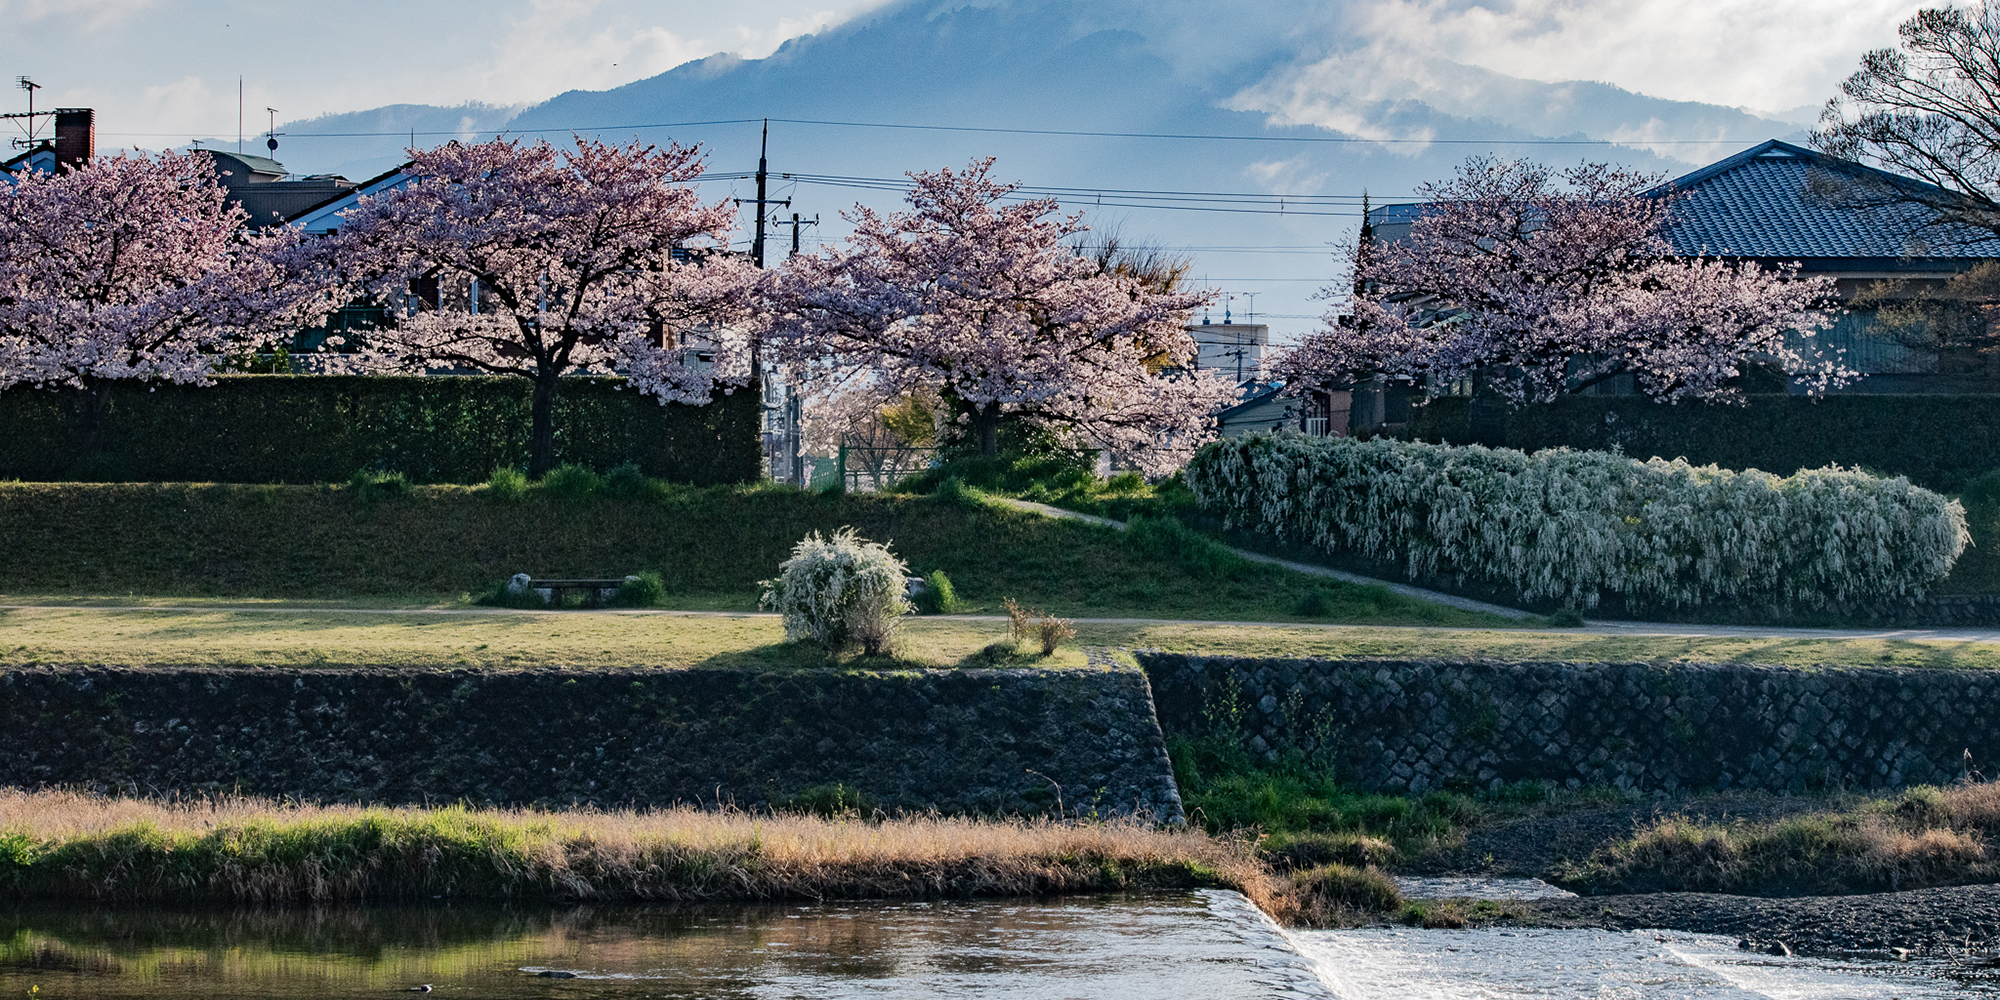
[(1209, 945)]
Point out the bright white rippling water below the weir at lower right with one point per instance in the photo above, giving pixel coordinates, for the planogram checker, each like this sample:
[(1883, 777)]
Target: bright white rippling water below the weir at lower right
[(1573, 965)]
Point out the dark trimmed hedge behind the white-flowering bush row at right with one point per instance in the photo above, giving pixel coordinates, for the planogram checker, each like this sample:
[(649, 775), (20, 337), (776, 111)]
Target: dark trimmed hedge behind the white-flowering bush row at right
[(1937, 441)]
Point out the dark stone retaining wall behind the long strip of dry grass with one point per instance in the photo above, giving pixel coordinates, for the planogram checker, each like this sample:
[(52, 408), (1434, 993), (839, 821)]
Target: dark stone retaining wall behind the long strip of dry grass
[(955, 741)]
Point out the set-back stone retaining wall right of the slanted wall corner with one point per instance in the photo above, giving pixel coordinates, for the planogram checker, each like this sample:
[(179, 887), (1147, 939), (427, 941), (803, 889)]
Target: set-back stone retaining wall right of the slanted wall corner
[(1657, 729)]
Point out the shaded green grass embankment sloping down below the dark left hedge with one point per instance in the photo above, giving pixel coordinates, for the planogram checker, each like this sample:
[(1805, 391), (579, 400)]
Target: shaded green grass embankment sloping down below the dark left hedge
[(709, 545)]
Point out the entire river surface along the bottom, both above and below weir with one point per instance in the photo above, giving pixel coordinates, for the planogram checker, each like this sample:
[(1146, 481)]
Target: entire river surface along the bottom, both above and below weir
[(1193, 945)]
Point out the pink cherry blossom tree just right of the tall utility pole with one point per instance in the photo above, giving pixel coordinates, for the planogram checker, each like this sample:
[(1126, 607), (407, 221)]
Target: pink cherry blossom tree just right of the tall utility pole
[(975, 299)]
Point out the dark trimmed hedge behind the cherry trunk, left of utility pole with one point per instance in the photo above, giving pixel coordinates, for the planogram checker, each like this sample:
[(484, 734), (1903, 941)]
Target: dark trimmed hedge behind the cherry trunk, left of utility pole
[(325, 429)]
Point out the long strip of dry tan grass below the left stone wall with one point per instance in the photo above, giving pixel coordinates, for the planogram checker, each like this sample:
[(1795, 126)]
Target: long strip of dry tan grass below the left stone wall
[(67, 845)]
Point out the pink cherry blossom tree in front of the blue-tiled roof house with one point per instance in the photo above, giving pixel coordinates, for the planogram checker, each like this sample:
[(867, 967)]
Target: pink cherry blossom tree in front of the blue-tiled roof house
[(1541, 285)]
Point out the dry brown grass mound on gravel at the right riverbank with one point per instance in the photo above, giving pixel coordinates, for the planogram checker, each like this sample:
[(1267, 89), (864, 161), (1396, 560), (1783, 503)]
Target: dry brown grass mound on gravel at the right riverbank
[(1925, 837)]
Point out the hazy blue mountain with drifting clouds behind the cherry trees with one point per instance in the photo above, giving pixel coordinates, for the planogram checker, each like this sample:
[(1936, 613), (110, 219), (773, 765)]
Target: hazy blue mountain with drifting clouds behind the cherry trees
[(1291, 73)]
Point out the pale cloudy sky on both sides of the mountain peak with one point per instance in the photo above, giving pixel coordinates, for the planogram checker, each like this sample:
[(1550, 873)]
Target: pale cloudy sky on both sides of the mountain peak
[(163, 71)]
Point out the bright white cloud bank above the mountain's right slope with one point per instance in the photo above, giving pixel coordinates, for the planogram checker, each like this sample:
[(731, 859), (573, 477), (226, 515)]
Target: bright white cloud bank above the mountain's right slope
[(1735, 53)]
